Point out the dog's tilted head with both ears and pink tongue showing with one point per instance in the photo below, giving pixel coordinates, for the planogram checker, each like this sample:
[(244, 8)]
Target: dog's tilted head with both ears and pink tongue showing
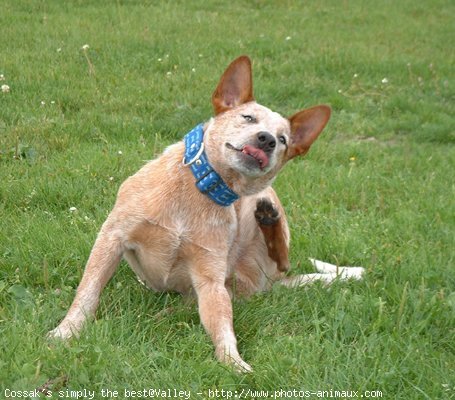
[(247, 143)]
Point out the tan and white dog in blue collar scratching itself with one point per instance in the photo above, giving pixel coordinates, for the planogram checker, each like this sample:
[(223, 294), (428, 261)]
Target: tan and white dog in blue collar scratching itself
[(203, 217)]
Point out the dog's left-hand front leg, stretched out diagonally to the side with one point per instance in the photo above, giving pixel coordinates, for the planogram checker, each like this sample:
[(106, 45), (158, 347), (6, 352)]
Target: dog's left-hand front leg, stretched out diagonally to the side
[(101, 265)]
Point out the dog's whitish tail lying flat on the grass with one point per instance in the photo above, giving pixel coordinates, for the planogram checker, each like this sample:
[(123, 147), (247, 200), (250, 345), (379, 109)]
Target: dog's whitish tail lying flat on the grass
[(327, 273)]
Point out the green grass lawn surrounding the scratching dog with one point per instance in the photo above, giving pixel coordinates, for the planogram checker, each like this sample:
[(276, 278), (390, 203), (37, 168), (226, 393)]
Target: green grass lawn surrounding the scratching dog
[(377, 190)]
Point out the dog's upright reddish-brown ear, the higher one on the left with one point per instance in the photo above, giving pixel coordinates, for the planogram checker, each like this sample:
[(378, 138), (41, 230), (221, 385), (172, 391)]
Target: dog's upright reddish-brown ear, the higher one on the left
[(235, 86)]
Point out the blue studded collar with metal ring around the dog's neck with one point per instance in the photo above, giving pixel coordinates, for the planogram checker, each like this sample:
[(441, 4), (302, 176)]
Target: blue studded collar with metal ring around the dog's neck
[(207, 179)]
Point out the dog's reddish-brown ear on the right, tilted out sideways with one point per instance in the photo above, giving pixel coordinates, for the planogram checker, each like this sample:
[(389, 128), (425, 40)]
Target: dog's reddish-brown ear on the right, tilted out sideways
[(306, 126)]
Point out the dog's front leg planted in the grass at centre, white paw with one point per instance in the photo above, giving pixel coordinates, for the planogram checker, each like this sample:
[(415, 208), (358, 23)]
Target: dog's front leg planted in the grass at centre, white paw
[(215, 307)]
